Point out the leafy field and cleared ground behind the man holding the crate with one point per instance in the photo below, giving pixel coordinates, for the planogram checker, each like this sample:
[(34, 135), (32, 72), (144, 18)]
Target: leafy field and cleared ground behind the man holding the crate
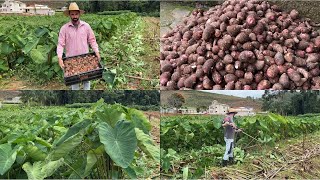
[(128, 45)]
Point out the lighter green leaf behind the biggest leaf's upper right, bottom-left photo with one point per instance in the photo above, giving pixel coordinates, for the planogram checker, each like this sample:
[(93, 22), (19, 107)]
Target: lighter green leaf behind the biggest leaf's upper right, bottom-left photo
[(139, 120)]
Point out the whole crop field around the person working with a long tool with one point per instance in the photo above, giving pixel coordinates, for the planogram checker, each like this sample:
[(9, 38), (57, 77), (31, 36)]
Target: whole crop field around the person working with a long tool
[(271, 146)]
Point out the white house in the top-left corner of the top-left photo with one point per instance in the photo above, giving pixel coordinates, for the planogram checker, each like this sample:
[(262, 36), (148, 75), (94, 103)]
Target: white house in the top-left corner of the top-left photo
[(12, 6)]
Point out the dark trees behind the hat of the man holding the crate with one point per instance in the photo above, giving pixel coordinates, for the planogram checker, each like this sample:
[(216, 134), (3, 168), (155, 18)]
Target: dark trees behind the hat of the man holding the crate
[(138, 6)]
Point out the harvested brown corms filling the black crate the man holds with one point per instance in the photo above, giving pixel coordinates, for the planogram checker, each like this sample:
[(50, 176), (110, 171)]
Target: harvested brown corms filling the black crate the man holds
[(77, 65)]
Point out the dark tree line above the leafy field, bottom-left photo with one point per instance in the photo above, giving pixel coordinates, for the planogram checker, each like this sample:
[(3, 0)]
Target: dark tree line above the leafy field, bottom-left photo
[(125, 97)]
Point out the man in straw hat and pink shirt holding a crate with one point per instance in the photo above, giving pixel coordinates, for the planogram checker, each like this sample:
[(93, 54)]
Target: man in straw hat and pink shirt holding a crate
[(75, 36)]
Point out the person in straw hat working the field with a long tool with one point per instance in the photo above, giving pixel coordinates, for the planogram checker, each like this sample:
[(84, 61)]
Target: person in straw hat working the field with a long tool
[(230, 129)]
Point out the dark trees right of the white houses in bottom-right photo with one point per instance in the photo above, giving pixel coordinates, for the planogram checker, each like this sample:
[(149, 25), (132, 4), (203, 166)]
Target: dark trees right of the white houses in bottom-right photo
[(291, 102)]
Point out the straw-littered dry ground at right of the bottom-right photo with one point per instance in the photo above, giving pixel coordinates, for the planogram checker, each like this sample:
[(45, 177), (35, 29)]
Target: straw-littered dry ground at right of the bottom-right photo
[(296, 158)]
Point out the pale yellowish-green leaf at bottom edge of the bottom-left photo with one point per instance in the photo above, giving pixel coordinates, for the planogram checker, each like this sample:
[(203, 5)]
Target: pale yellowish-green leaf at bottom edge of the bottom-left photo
[(41, 169)]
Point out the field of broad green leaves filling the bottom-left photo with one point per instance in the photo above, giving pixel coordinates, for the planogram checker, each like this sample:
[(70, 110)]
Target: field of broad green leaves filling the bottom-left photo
[(60, 142)]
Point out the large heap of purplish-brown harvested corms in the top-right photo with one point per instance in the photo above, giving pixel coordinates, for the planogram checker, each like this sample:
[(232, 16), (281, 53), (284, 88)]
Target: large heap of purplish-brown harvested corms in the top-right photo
[(241, 44)]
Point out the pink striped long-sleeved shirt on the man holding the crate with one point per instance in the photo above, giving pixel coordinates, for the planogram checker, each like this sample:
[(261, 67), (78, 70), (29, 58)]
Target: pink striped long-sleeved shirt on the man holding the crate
[(76, 40)]
